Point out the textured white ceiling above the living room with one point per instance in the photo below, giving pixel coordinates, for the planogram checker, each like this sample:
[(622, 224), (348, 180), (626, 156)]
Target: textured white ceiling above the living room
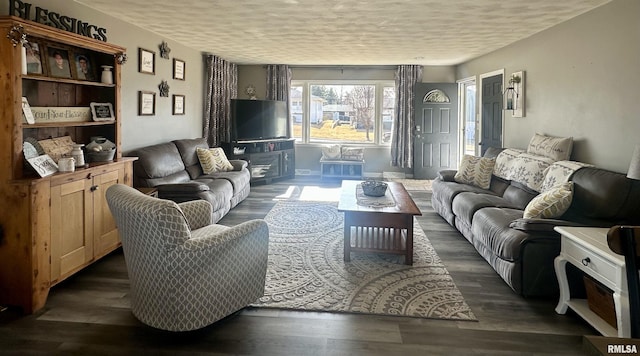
[(345, 32)]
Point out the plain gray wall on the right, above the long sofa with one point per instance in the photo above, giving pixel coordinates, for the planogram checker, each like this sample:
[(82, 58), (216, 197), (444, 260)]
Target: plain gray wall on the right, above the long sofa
[(581, 80)]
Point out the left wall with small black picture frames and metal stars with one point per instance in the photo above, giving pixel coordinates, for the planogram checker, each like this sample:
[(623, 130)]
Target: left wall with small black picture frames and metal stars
[(144, 130)]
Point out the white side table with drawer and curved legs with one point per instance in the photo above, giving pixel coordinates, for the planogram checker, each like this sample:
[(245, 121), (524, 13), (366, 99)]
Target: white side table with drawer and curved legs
[(587, 249)]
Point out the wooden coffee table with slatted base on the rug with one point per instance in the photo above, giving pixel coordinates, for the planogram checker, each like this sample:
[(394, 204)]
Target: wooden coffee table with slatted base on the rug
[(378, 229)]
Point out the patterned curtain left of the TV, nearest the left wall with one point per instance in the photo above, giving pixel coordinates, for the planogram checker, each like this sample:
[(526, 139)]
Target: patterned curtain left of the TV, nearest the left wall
[(221, 86)]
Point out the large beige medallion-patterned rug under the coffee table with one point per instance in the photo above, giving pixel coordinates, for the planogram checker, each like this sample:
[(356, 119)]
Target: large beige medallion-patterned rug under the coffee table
[(307, 272)]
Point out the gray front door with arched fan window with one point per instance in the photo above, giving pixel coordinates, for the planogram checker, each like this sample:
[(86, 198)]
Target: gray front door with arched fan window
[(436, 129)]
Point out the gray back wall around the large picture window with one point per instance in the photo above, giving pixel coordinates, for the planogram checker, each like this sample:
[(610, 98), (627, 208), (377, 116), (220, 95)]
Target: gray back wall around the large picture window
[(377, 158)]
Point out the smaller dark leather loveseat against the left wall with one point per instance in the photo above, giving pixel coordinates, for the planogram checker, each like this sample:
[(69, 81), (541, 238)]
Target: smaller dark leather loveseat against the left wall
[(174, 169)]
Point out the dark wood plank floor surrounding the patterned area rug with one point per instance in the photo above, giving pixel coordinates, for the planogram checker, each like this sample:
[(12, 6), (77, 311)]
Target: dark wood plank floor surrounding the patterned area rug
[(88, 314)]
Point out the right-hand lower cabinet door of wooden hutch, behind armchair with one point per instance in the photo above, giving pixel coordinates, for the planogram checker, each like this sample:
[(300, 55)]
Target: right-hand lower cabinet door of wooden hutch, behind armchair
[(105, 233)]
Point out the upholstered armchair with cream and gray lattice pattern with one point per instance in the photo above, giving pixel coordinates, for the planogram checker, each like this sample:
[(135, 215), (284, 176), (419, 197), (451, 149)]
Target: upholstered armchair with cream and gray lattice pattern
[(185, 272)]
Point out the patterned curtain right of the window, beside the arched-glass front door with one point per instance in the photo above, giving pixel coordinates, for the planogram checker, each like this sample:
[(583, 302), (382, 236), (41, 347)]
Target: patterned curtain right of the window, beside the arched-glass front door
[(402, 134)]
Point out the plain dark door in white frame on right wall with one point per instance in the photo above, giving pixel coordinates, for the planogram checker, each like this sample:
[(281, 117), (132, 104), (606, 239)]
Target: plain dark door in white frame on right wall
[(491, 113)]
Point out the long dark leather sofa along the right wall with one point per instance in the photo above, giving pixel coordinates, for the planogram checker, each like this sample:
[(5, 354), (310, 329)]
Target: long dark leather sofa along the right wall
[(522, 250)]
